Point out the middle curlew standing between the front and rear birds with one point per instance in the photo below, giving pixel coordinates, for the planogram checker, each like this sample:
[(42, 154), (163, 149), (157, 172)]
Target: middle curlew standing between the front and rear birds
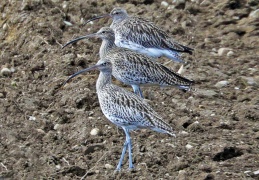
[(134, 68)]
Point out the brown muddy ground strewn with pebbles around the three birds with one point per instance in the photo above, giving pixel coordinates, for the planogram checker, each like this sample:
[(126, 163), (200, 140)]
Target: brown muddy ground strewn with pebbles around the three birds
[(45, 129)]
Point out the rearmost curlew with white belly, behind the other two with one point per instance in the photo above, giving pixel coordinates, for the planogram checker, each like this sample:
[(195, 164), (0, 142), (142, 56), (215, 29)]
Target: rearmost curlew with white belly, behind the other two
[(143, 36)]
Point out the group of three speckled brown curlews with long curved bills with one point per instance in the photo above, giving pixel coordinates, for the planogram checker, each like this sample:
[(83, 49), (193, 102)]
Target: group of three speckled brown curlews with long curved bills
[(128, 52)]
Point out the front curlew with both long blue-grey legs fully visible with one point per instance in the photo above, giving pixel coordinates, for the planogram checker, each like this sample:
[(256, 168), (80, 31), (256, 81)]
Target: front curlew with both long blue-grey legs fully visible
[(124, 108)]
